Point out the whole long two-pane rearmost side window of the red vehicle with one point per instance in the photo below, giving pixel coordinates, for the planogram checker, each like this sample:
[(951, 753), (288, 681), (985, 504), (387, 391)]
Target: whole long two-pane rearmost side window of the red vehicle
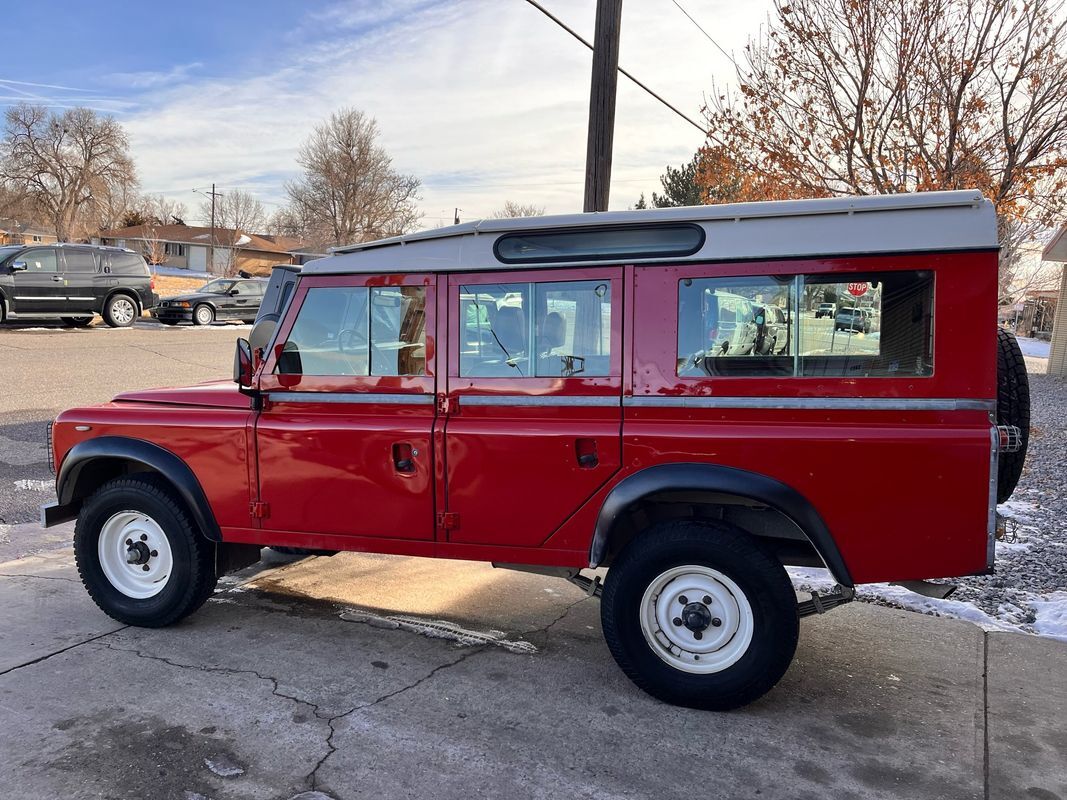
[(874, 326)]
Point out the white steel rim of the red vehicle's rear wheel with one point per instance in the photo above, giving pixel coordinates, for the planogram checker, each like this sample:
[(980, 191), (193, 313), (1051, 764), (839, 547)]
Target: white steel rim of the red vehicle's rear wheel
[(720, 646)]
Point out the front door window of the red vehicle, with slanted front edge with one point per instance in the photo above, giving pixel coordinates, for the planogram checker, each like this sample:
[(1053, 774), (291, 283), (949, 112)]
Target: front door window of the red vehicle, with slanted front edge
[(358, 331)]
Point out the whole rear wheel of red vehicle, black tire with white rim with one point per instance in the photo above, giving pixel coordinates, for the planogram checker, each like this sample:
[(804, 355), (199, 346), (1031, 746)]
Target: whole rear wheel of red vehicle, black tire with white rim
[(700, 615)]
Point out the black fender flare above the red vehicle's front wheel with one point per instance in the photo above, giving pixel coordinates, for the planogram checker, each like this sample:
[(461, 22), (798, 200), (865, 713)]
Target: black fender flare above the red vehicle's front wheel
[(157, 459)]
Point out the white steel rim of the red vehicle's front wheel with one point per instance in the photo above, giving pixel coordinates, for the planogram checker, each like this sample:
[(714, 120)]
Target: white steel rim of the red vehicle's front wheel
[(137, 532)]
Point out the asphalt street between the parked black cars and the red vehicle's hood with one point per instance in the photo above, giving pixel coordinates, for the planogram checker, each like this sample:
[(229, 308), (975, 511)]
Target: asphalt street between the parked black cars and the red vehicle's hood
[(46, 369)]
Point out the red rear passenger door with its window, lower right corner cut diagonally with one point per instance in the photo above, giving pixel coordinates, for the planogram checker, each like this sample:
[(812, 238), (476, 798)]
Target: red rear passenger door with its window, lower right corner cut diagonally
[(534, 401)]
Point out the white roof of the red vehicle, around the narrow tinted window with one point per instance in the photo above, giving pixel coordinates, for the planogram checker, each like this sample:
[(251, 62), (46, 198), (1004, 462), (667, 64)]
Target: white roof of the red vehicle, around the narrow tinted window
[(888, 223)]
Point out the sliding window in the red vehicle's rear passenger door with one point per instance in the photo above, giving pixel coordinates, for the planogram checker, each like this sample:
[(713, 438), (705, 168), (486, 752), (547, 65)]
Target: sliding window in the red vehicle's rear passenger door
[(551, 330)]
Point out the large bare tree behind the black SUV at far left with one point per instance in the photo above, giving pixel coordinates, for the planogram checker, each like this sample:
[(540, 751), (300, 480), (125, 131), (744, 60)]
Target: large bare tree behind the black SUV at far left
[(65, 162)]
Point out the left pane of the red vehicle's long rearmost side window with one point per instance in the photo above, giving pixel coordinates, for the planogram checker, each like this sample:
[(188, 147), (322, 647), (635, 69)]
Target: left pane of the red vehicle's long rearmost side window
[(736, 327)]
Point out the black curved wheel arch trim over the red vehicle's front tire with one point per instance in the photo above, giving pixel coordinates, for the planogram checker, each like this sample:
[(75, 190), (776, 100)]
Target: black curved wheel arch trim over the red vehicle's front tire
[(92, 463)]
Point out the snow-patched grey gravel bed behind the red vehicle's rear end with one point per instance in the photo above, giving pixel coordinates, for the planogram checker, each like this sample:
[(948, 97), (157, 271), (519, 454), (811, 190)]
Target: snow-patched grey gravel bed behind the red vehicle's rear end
[(1028, 594)]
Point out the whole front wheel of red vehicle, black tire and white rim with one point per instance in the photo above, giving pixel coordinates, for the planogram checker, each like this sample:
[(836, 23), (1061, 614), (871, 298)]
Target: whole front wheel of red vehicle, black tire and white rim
[(139, 555)]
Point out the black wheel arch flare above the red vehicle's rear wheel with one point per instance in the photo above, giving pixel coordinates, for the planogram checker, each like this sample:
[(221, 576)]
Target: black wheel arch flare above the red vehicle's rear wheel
[(775, 511)]
